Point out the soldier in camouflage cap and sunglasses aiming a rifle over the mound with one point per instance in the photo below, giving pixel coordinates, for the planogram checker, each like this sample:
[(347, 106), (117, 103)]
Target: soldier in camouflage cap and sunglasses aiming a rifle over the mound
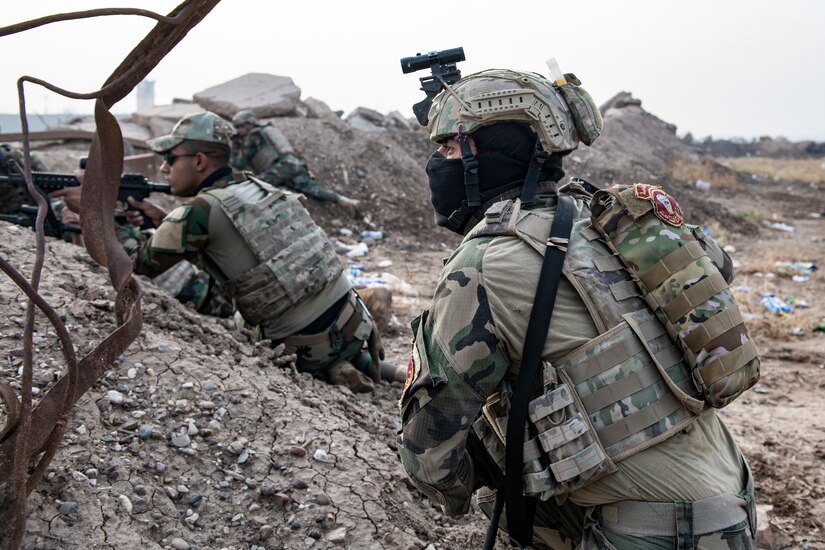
[(263, 249)]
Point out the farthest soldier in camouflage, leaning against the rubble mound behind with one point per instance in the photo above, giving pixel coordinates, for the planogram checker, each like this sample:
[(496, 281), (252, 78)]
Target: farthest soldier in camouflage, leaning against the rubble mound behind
[(266, 151)]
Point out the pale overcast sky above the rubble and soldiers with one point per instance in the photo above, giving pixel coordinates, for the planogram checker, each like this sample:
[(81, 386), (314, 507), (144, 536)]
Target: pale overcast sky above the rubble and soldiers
[(712, 67)]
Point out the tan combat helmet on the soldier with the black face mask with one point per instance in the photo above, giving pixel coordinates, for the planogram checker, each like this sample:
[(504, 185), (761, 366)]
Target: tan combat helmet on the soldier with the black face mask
[(499, 95)]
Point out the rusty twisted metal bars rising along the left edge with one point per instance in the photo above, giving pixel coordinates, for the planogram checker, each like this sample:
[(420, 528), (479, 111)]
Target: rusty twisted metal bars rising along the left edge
[(32, 431)]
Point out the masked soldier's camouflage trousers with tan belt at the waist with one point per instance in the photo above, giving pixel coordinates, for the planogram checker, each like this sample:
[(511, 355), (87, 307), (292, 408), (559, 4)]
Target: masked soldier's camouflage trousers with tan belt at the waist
[(725, 522)]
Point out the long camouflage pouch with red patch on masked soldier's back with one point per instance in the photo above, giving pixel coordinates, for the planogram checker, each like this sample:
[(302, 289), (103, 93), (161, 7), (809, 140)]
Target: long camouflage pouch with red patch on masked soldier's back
[(685, 288)]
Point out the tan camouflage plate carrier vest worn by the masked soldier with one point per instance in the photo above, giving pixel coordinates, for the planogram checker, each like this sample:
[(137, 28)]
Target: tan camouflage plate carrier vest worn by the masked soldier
[(623, 391)]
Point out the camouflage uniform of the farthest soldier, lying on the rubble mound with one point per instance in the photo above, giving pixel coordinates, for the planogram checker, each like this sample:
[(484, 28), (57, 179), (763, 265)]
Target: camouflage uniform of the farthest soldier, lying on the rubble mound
[(285, 170)]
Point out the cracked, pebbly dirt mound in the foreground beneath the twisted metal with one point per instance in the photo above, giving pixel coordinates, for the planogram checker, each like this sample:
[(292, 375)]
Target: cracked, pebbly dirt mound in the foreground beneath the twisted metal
[(196, 434)]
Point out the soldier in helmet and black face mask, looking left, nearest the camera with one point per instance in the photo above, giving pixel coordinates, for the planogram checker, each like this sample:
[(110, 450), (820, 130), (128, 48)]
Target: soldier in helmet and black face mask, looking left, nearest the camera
[(613, 425)]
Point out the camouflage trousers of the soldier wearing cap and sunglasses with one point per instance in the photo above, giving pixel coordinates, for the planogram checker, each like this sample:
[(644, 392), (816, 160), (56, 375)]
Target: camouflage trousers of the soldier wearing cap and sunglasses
[(343, 340)]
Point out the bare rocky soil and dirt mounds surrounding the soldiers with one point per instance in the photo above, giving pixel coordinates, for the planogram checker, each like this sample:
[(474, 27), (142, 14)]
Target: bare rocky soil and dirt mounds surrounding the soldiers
[(197, 438)]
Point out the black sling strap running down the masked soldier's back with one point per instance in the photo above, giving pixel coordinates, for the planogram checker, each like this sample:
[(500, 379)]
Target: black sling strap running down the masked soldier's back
[(520, 509)]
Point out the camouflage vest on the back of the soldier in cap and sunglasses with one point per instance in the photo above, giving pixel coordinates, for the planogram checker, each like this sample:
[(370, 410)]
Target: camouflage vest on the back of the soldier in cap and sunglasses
[(296, 258)]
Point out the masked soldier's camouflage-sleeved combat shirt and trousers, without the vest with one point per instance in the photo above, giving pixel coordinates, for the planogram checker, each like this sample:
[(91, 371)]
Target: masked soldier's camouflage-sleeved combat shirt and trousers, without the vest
[(471, 340)]
